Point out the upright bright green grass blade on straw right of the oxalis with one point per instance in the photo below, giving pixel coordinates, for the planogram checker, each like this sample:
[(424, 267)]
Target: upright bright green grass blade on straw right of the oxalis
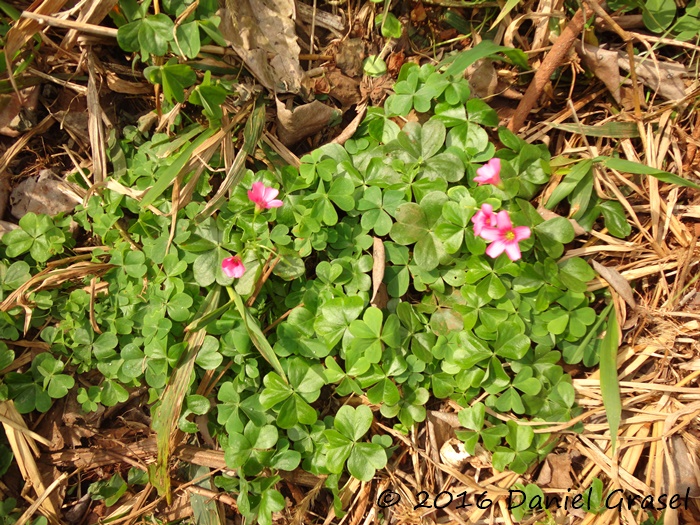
[(609, 385)]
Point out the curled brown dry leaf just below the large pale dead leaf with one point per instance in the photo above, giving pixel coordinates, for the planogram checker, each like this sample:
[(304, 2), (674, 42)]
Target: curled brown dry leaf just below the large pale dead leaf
[(304, 121)]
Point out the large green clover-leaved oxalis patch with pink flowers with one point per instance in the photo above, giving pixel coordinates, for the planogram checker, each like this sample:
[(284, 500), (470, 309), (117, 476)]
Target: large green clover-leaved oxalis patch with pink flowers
[(267, 297)]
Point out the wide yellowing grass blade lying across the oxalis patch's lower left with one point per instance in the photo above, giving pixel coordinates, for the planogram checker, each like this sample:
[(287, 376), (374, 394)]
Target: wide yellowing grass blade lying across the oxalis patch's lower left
[(167, 413)]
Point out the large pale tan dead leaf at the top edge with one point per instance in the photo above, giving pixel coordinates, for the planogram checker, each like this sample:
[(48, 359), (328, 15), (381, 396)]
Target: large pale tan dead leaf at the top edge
[(262, 33)]
